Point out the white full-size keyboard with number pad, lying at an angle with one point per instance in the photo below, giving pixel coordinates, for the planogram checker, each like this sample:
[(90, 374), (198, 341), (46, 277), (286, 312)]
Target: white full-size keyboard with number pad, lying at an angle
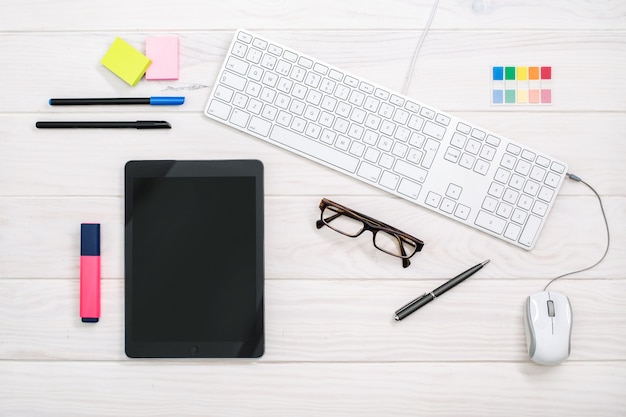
[(385, 139)]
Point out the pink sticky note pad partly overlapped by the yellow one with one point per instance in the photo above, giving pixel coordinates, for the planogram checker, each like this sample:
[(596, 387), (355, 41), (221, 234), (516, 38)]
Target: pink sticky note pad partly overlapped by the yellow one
[(163, 51)]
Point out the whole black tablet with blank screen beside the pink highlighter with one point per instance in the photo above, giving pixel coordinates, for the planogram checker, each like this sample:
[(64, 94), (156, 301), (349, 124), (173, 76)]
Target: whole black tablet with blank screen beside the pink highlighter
[(194, 259)]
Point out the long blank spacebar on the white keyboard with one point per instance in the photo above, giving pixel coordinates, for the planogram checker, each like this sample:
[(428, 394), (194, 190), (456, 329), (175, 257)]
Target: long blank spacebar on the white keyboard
[(314, 149)]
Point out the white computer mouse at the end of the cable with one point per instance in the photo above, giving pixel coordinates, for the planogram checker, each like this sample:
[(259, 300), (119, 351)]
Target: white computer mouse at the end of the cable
[(548, 324)]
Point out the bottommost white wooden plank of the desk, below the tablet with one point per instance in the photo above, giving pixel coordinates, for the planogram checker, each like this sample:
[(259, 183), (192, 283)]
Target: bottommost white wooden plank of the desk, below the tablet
[(165, 388)]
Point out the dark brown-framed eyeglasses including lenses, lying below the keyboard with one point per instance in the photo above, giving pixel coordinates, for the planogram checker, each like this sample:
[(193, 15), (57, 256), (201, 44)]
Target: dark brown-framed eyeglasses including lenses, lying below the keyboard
[(352, 223)]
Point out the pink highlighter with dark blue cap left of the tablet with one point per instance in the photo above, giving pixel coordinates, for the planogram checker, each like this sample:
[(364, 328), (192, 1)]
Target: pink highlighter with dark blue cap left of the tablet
[(90, 272)]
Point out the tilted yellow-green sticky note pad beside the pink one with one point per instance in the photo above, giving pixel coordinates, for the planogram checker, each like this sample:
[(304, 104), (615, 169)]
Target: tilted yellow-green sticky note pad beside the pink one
[(125, 61)]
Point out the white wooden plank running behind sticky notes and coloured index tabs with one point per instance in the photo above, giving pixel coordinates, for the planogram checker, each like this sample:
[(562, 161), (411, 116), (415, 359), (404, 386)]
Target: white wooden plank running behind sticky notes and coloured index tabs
[(583, 80)]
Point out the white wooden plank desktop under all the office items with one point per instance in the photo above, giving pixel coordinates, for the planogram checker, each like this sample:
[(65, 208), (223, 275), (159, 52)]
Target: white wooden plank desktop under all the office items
[(332, 347)]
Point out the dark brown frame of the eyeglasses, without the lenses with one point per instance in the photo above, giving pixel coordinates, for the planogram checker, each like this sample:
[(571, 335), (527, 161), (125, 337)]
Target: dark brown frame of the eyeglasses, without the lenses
[(374, 226)]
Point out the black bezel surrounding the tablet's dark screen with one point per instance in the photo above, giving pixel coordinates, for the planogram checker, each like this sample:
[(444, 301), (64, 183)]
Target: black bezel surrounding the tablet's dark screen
[(195, 169)]
